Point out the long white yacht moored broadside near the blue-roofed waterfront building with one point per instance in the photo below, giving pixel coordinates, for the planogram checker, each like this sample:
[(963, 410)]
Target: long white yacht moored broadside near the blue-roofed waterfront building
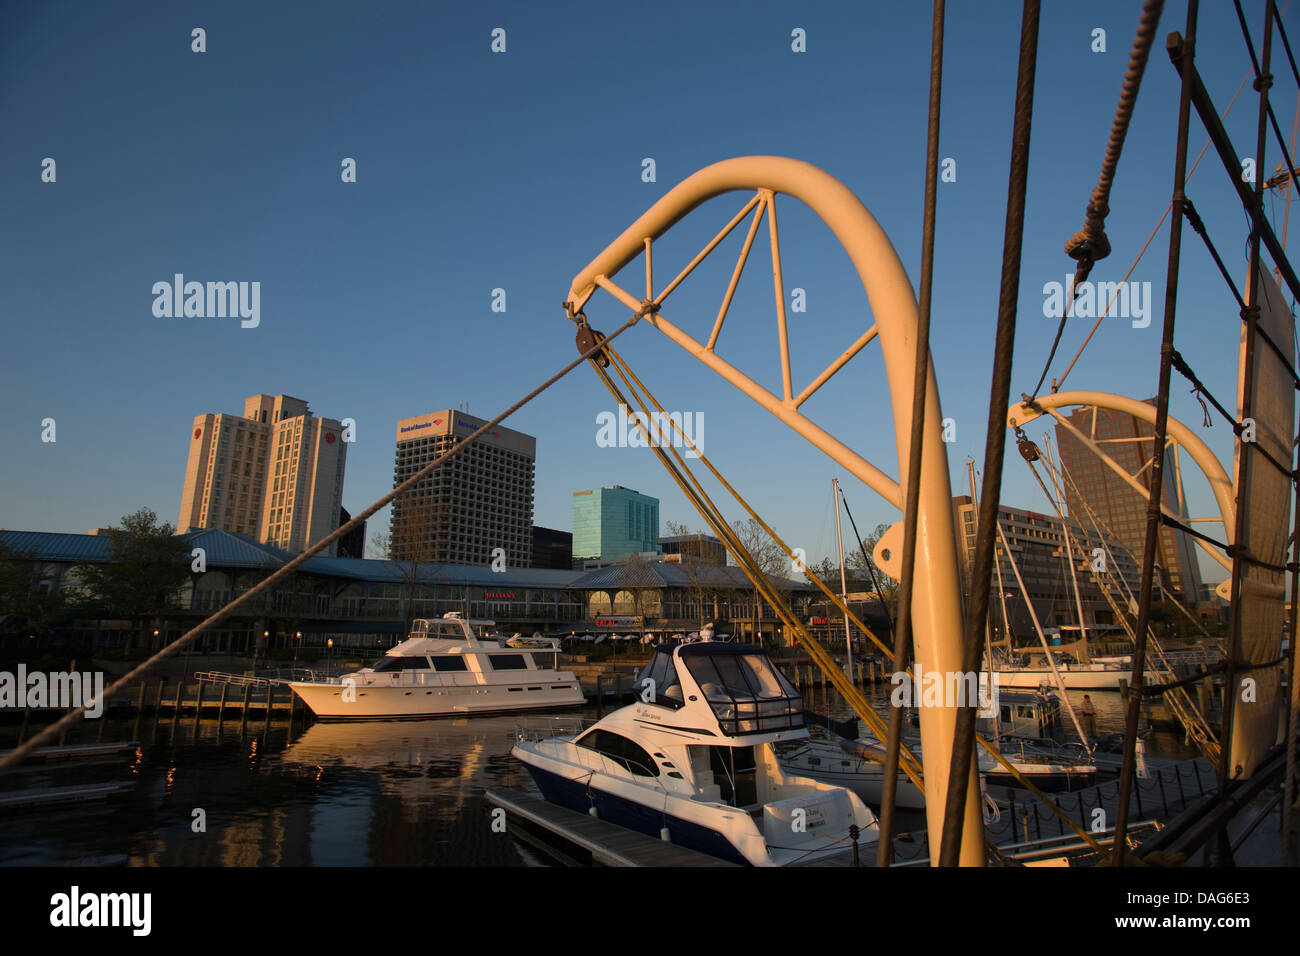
[(445, 669)]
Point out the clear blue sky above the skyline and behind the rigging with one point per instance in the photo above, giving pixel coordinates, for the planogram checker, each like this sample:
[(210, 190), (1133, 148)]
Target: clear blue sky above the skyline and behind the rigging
[(479, 171)]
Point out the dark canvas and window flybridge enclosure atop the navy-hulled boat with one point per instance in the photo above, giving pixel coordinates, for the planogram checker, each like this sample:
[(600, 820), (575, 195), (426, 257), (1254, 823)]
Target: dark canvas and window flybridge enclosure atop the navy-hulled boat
[(746, 691)]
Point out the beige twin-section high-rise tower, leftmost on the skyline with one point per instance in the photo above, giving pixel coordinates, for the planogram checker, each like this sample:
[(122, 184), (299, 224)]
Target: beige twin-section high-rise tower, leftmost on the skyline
[(276, 474)]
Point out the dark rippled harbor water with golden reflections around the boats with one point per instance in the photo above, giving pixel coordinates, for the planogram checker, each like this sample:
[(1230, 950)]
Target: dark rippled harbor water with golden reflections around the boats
[(384, 794)]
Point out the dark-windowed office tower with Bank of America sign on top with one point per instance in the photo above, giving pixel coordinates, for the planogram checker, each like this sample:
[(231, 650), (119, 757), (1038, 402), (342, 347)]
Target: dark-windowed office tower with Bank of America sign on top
[(479, 501)]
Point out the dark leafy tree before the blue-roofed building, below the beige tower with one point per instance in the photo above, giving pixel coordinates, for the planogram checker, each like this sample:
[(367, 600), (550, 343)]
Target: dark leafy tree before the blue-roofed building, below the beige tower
[(148, 566)]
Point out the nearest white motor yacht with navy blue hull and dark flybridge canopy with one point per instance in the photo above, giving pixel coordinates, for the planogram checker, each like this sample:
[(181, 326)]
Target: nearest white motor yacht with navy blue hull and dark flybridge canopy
[(694, 763)]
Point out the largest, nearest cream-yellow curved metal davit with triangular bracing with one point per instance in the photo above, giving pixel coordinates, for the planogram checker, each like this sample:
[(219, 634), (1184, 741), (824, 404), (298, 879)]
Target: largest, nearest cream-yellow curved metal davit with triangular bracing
[(937, 605)]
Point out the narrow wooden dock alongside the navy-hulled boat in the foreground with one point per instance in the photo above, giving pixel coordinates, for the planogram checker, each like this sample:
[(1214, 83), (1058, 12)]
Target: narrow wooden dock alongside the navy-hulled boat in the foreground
[(590, 841)]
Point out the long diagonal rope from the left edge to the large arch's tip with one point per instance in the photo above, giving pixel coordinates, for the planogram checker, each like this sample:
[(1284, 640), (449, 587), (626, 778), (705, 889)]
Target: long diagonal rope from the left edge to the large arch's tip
[(67, 721)]
